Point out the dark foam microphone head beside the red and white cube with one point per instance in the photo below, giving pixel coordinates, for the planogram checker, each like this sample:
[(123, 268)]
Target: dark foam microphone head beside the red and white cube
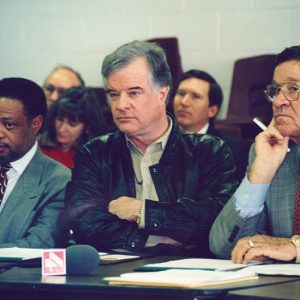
[(81, 259)]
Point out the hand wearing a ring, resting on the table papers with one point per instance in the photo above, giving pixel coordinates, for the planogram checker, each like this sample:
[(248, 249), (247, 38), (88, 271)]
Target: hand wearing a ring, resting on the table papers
[(262, 247)]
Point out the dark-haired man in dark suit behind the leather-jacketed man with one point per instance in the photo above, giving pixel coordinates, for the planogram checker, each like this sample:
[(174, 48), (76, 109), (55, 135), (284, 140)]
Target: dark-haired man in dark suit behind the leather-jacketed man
[(196, 104)]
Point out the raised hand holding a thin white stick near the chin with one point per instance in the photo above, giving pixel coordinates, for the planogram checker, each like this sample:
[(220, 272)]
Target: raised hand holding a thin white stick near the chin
[(271, 148)]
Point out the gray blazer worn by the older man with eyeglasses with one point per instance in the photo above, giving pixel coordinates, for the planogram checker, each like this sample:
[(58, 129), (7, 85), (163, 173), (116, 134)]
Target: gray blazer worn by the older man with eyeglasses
[(275, 220)]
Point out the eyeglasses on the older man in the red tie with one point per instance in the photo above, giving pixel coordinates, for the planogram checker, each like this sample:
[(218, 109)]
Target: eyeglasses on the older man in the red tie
[(290, 91)]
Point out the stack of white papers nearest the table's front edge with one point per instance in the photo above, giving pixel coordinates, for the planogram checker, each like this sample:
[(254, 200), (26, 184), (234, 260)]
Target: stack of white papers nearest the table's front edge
[(181, 278)]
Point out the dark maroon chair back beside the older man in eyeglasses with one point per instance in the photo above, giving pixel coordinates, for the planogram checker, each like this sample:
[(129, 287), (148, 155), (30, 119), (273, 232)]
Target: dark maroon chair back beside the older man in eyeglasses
[(247, 99)]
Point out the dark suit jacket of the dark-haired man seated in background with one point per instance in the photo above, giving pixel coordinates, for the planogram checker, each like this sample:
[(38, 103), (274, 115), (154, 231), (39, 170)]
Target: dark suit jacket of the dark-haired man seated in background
[(240, 150)]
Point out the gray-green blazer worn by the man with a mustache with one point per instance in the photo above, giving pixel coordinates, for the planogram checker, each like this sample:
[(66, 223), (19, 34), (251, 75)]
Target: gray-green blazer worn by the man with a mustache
[(31, 215)]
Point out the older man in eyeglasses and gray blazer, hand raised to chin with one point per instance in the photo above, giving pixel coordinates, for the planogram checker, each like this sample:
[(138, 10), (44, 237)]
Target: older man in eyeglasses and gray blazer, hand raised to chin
[(262, 219)]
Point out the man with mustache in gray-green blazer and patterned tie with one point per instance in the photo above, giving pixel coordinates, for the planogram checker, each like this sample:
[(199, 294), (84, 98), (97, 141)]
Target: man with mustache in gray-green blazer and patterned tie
[(31, 185)]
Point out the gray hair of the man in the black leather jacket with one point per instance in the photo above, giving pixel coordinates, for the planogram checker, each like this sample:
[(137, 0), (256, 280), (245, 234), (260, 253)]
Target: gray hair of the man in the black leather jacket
[(160, 74)]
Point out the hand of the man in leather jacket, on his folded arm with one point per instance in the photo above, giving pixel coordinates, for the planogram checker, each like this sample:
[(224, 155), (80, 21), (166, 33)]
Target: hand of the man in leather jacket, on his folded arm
[(125, 208)]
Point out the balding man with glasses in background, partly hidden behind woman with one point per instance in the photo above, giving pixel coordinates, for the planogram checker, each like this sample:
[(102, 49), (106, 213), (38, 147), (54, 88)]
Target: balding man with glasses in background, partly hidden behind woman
[(60, 79)]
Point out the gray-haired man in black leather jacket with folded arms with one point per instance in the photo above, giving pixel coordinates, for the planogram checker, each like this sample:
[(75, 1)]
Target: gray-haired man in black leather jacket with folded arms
[(147, 185)]
